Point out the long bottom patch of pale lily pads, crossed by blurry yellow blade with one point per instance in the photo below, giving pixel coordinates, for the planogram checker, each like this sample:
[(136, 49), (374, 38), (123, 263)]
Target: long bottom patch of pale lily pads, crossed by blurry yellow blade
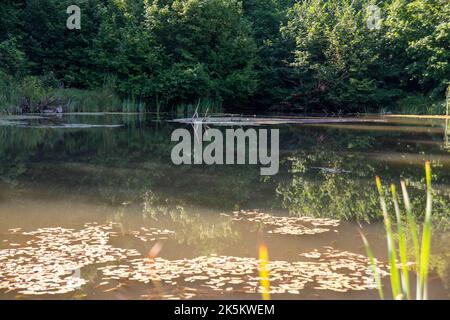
[(331, 269)]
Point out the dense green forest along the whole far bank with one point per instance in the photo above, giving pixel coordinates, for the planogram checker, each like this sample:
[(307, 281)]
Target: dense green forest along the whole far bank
[(310, 56)]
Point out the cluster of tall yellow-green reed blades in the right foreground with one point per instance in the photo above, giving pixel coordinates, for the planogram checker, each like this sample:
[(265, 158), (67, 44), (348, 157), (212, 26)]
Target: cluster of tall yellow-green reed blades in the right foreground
[(400, 283)]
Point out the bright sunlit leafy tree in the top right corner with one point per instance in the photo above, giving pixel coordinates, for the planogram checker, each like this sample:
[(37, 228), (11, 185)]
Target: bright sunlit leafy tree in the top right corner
[(418, 31)]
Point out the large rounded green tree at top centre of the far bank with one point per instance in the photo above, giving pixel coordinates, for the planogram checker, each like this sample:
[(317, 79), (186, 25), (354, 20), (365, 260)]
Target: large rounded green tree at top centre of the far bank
[(208, 49)]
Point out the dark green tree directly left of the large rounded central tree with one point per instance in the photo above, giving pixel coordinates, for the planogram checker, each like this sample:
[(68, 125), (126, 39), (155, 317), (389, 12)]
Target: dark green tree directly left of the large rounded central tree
[(126, 49)]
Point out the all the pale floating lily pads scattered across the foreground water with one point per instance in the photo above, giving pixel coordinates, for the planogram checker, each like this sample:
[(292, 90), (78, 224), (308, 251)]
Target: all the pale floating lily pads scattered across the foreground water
[(47, 261)]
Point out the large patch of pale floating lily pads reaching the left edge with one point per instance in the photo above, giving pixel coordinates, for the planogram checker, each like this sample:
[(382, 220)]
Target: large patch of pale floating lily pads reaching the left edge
[(51, 260)]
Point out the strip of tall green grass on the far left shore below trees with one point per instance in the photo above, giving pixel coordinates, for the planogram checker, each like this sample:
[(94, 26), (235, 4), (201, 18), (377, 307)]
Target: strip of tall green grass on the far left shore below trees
[(33, 94)]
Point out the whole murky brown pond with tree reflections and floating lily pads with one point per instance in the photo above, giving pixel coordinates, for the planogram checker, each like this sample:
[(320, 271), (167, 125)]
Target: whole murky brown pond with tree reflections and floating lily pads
[(91, 207)]
